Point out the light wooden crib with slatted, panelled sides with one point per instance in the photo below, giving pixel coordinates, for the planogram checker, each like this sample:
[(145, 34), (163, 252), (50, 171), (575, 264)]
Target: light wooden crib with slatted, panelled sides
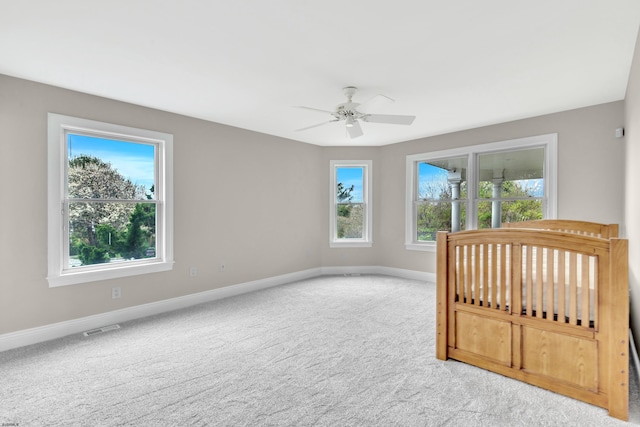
[(543, 306)]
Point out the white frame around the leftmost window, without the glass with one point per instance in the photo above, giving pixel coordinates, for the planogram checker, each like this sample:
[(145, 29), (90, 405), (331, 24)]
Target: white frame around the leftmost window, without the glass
[(59, 274)]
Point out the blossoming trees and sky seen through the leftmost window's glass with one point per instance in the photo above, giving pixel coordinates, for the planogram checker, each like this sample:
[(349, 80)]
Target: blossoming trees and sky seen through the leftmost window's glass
[(111, 218)]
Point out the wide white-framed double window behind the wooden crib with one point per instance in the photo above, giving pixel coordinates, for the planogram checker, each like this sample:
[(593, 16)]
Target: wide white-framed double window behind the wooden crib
[(479, 187)]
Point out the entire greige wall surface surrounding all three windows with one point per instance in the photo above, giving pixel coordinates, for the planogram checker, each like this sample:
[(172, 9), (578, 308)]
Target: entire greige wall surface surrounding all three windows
[(271, 218)]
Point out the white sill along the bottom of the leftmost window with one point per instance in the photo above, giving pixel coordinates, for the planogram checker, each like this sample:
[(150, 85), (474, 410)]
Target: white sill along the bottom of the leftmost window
[(77, 277)]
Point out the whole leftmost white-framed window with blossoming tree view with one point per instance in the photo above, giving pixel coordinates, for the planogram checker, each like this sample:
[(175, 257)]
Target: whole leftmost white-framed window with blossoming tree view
[(110, 201)]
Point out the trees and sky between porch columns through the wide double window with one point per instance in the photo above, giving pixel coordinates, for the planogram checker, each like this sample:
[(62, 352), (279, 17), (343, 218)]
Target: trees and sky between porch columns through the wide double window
[(521, 202)]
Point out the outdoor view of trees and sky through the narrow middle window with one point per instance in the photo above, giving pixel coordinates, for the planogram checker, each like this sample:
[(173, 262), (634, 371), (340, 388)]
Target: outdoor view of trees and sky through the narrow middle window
[(350, 206)]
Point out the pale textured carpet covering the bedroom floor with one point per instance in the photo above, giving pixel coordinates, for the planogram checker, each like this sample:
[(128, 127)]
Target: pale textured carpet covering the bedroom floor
[(330, 351)]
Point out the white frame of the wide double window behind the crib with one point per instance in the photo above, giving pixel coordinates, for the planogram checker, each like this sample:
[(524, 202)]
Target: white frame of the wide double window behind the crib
[(550, 144)]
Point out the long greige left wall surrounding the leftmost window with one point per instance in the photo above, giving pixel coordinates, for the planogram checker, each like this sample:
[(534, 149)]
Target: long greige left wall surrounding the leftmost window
[(241, 197)]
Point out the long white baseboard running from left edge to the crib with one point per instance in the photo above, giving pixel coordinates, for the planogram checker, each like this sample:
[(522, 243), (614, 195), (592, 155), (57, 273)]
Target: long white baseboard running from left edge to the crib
[(58, 330)]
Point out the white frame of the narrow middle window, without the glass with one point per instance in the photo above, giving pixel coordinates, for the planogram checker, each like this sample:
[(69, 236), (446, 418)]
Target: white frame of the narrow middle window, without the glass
[(367, 195)]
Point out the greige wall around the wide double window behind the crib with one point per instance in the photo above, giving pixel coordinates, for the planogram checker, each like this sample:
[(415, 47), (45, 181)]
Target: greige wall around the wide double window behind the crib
[(590, 171)]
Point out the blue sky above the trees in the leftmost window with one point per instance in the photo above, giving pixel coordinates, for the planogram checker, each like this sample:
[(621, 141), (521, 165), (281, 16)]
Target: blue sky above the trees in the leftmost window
[(132, 160)]
